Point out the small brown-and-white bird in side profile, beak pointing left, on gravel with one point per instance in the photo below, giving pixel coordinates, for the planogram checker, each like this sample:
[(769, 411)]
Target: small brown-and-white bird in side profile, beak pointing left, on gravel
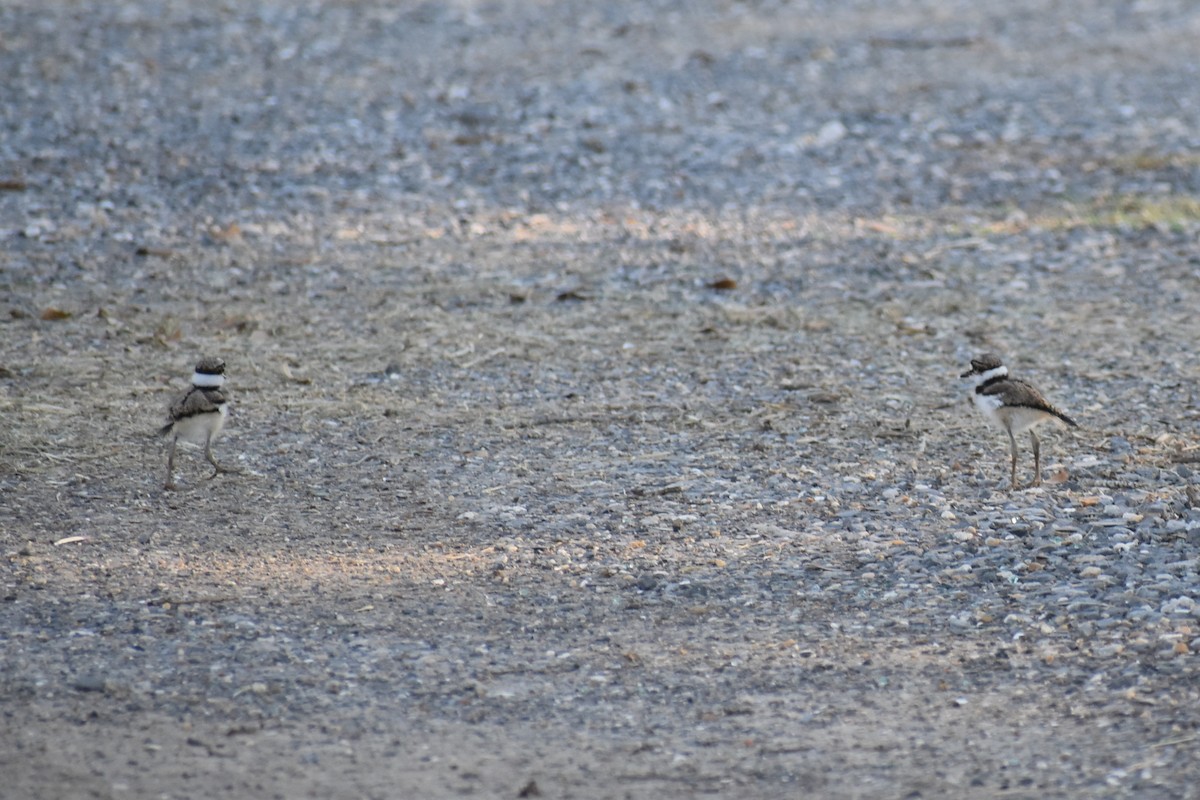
[(1013, 405)]
